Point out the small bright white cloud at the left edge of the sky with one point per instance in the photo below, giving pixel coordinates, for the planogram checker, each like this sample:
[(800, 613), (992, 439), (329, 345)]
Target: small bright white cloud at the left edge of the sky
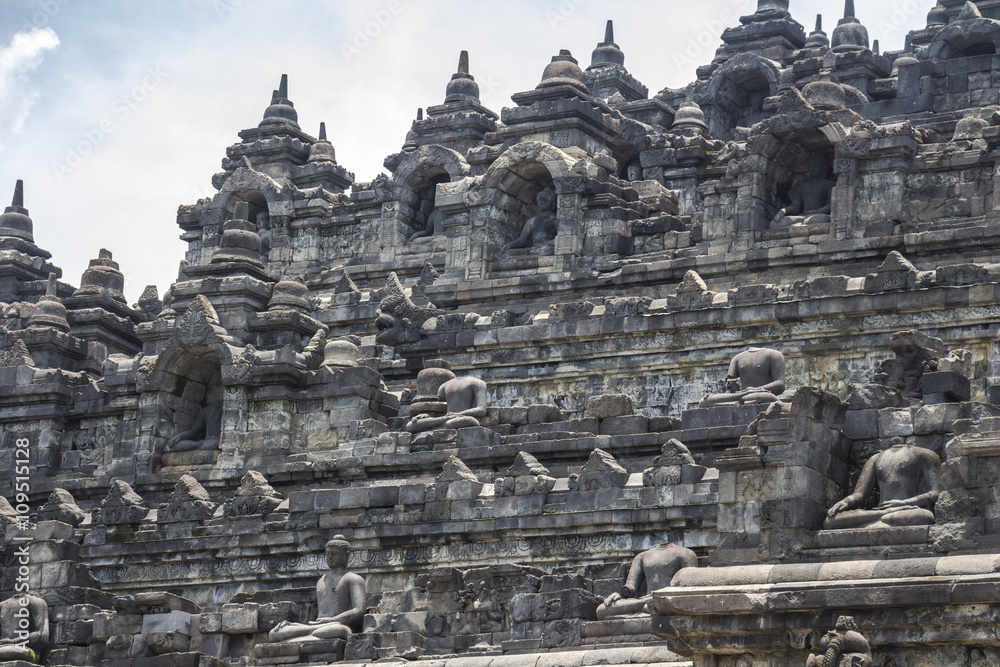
[(17, 60)]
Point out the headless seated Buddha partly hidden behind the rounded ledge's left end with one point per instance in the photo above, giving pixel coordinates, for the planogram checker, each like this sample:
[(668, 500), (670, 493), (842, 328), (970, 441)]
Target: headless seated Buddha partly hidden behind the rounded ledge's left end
[(651, 570)]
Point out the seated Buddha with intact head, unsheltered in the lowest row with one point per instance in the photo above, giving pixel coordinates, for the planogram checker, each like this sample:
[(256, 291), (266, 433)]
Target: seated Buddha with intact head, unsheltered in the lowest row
[(340, 596)]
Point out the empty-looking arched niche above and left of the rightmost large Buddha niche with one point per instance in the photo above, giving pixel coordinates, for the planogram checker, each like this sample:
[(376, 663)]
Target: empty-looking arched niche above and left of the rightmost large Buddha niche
[(736, 92)]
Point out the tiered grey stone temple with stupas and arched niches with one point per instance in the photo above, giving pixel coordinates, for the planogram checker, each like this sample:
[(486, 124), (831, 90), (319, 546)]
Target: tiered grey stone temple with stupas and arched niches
[(585, 263)]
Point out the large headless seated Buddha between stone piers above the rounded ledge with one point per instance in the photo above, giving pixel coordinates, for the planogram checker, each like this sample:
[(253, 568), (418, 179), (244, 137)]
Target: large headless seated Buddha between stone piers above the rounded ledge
[(909, 483)]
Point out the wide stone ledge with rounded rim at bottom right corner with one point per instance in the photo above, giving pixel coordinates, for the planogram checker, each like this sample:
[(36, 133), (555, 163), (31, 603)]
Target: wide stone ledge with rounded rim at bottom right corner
[(775, 614)]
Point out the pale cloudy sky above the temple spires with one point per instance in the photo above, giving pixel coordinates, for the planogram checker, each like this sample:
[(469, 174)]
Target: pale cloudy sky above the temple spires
[(116, 112)]
